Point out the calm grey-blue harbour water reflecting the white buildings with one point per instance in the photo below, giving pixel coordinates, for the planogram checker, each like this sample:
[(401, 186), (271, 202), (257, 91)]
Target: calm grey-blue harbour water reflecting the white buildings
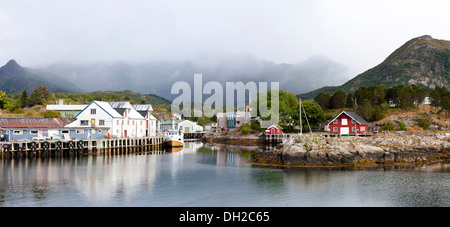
[(212, 176)]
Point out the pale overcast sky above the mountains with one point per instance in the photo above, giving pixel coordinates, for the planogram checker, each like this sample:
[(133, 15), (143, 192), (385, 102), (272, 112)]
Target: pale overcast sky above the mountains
[(357, 33)]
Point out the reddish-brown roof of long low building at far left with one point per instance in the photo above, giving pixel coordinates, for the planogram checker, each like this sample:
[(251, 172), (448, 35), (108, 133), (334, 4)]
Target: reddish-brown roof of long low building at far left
[(34, 122)]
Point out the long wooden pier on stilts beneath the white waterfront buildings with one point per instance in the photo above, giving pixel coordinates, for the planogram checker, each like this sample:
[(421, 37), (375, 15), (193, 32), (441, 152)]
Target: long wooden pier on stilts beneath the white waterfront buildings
[(80, 147)]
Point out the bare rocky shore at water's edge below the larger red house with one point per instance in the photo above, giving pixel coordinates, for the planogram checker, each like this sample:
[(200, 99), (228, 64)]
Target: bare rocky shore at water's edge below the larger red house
[(315, 150)]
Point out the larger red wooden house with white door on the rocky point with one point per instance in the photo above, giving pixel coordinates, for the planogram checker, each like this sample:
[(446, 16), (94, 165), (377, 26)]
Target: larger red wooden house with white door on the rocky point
[(348, 123)]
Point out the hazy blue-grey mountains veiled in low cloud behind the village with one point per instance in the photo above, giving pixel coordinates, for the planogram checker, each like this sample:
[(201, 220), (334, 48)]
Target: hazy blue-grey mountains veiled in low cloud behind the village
[(158, 77)]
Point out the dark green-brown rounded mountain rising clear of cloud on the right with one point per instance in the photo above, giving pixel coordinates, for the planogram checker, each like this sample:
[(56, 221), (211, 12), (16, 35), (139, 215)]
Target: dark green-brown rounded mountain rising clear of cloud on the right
[(422, 61)]
